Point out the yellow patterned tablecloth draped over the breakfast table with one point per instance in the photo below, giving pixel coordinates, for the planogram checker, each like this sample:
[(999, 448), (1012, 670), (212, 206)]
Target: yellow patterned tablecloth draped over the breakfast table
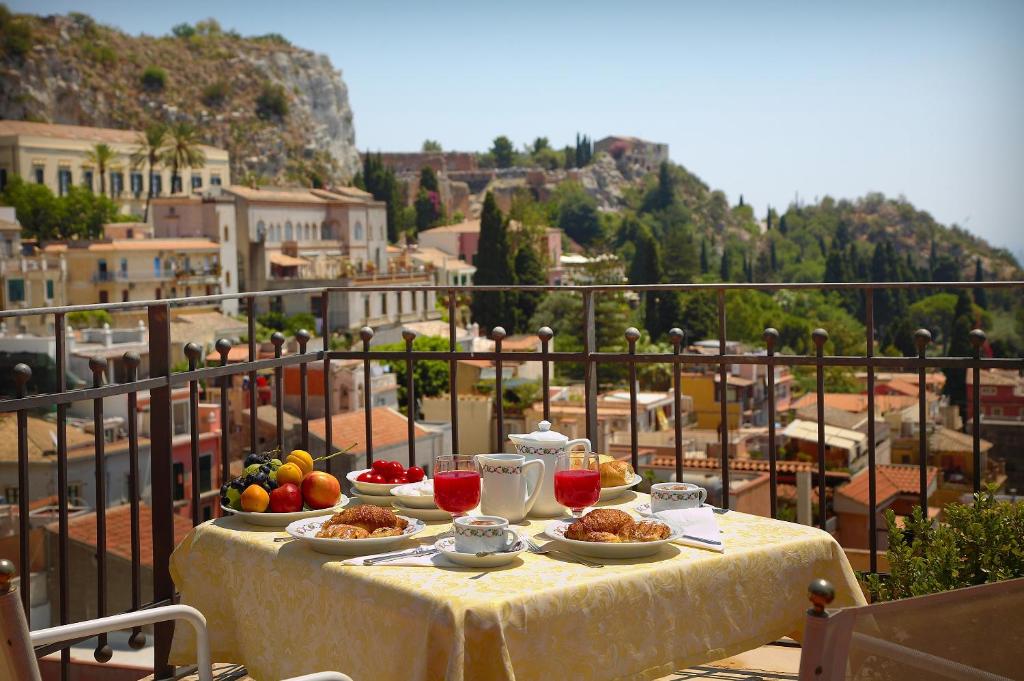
[(282, 610)]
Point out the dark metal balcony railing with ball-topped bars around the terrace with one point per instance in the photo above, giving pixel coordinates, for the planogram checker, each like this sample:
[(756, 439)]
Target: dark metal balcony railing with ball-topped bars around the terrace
[(162, 381)]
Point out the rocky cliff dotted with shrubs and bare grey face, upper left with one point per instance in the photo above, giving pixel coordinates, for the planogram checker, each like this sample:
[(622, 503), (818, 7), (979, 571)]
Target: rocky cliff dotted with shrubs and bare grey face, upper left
[(281, 111)]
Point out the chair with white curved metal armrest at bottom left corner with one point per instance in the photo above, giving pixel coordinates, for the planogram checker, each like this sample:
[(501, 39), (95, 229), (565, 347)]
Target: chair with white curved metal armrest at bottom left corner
[(18, 660)]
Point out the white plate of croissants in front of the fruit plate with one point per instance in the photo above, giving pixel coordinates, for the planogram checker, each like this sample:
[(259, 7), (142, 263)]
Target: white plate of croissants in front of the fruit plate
[(356, 531)]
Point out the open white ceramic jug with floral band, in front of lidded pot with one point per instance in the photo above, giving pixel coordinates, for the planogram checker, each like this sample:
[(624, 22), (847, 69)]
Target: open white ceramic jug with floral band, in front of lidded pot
[(510, 485)]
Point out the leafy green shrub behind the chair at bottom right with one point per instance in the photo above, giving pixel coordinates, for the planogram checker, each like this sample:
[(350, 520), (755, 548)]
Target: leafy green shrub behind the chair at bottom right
[(978, 543)]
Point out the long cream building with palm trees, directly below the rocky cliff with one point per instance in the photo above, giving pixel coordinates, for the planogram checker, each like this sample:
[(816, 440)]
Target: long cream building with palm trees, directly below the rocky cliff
[(56, 156)]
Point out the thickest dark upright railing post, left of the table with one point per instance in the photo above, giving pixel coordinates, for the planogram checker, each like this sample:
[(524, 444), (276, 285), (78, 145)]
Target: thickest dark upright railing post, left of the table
[(161, 467)]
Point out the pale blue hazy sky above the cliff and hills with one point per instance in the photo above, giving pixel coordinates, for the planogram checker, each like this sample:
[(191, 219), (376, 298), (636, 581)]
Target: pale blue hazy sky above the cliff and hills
[(769, 100)]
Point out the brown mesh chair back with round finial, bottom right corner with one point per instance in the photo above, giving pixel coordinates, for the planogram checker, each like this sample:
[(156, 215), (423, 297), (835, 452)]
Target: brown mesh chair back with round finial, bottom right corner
[(973, 634)]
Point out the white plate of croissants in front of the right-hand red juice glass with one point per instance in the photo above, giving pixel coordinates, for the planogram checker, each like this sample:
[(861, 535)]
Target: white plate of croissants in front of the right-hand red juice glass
[(609, 533)]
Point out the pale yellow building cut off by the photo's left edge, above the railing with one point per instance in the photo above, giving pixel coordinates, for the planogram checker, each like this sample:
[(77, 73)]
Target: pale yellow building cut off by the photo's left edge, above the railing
[(28, 280)]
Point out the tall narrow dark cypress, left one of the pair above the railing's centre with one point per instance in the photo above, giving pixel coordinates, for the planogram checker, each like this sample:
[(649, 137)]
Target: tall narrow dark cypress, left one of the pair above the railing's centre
[(494, 267)]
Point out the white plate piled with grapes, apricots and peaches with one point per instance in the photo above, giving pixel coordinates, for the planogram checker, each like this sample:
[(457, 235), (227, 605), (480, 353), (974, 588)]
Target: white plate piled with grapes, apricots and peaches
[(275, 493)]
